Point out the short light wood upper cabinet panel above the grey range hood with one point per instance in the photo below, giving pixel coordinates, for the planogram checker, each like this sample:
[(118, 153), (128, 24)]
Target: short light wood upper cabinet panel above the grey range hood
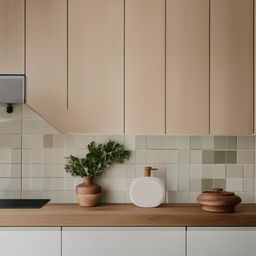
[(12, 22)]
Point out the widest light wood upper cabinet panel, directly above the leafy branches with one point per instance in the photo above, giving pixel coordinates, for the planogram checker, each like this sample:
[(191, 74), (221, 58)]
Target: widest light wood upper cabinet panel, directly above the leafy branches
[(96, 66)]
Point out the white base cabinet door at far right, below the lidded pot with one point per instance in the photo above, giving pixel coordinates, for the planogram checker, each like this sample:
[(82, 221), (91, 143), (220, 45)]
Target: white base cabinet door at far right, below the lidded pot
[(221, 241)]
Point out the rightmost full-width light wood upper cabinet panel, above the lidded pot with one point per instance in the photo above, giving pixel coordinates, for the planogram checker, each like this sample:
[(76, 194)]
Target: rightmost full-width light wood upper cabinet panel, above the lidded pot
[(231, 55)]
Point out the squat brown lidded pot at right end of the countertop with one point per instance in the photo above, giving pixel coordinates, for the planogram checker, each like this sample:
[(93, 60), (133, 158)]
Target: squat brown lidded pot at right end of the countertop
[(218, 200)]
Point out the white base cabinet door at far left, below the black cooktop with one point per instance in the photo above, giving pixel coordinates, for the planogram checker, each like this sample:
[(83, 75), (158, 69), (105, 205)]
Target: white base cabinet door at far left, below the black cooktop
[(24, 241)]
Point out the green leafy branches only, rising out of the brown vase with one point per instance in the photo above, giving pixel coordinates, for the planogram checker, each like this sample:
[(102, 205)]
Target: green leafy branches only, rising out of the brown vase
[(97, 159)]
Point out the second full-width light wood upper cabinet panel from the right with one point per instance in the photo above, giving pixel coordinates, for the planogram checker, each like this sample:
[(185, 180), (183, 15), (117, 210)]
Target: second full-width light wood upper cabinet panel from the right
[(187, 67)]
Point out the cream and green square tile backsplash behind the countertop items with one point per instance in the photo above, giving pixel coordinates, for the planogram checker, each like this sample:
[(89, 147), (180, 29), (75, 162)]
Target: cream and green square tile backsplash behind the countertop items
[(32, 158)]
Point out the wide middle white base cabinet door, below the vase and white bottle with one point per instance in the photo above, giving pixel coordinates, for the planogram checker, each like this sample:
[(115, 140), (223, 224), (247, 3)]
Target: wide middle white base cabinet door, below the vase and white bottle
[(123, 241)]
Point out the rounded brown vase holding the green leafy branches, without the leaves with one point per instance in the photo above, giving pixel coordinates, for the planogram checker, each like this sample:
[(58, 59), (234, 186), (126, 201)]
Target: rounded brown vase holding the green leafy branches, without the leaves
[(88, 193)]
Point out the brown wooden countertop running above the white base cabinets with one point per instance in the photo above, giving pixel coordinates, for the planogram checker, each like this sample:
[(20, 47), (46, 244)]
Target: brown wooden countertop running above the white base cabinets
[(127, 215)]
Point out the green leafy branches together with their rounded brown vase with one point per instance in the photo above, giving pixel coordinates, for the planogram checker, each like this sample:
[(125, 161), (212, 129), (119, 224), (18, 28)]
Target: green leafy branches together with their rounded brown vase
[(96, 161)]
